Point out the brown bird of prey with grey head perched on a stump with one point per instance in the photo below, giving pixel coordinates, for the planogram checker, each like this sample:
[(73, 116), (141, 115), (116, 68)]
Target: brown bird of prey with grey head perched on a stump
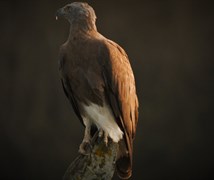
[(97, 79)]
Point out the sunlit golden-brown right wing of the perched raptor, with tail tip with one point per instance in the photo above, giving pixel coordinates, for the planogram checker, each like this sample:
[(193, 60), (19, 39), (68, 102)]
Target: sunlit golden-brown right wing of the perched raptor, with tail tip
[(121, 93)]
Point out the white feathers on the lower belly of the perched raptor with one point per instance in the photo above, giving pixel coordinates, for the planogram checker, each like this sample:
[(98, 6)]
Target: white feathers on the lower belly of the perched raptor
[(103, 118)]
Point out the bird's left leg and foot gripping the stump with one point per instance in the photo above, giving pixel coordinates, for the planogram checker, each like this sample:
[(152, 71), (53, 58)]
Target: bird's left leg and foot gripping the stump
[(85, 146)]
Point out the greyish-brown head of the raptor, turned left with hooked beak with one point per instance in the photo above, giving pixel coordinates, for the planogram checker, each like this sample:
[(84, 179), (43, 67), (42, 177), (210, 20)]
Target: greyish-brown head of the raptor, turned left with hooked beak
[(78, 13)]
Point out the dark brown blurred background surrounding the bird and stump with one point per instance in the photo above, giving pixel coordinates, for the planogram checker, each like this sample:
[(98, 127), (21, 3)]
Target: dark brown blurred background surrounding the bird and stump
[(170, 46)]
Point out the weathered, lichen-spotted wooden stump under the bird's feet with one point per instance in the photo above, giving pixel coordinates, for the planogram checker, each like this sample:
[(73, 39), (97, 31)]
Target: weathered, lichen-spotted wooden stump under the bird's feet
[(99, 164)]
